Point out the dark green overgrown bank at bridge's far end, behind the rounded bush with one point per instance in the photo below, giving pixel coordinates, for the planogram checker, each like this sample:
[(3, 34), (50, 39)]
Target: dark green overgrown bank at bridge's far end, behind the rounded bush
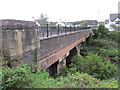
[(104, 43)]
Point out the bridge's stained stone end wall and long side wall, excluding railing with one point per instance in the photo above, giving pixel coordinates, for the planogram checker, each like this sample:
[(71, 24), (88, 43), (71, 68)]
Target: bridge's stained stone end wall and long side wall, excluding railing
[(19, 44)]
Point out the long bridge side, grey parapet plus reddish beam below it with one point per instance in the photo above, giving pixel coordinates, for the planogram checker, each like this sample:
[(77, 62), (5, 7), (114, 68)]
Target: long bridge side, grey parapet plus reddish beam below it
[(57, 48)]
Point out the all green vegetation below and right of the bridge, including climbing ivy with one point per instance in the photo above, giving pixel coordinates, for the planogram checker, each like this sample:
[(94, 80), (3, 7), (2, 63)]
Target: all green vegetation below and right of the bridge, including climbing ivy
[(93, 69)]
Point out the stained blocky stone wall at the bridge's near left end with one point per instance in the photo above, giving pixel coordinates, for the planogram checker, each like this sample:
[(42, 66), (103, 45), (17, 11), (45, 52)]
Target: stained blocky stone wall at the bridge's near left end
[(19, 43)]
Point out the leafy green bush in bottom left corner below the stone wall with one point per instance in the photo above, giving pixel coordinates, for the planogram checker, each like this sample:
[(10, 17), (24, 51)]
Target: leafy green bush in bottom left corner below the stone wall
[(22, 77)]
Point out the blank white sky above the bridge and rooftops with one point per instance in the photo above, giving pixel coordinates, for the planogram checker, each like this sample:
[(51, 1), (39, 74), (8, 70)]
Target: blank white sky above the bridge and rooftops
[(66, 10)]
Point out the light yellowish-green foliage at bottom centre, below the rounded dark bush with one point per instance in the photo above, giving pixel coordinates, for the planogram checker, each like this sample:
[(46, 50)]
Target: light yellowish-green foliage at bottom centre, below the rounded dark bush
[(77, 80)]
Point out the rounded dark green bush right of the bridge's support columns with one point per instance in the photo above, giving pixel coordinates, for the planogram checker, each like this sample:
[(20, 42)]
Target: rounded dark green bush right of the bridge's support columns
[(95, 66)]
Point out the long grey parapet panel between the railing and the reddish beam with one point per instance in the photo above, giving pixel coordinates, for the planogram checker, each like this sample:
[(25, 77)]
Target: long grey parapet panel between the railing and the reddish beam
[(52, 44)]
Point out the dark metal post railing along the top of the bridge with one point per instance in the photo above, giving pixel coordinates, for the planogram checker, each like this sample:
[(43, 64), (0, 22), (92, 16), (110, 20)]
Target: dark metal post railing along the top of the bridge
[(50, 31)]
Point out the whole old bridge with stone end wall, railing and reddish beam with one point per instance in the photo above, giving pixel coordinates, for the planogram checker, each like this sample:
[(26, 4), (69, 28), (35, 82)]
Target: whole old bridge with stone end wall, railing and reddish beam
[(54, 44)]
